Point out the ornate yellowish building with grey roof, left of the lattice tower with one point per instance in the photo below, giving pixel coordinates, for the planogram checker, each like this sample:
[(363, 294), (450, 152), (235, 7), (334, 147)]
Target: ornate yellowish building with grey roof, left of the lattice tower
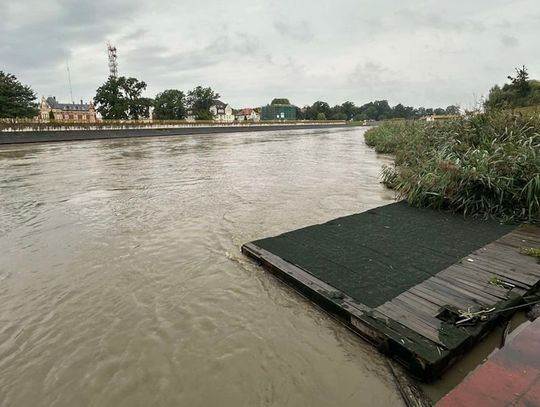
[(50, 108)]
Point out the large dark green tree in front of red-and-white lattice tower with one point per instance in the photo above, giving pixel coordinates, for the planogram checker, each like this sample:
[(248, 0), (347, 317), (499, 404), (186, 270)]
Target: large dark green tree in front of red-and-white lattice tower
[(120, 99)]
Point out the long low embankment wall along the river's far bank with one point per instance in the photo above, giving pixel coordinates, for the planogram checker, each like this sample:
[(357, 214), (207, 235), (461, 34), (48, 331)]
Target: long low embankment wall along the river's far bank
[(74, 135)]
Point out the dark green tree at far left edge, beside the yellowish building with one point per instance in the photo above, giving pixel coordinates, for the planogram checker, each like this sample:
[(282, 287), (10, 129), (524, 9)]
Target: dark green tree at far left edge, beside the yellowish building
[(16, 99)]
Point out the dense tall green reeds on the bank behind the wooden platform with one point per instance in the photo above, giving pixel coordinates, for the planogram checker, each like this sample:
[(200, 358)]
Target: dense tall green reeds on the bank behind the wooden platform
[(487, 165)]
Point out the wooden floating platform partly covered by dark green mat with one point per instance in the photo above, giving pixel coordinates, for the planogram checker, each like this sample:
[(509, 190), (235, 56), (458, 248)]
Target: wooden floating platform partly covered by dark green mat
[(415, 323)]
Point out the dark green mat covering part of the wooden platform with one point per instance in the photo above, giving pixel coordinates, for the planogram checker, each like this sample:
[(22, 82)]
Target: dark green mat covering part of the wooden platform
[(376, 255)]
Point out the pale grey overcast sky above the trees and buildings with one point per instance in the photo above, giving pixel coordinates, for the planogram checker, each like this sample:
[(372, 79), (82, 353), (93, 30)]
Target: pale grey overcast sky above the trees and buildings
[(415, 52)]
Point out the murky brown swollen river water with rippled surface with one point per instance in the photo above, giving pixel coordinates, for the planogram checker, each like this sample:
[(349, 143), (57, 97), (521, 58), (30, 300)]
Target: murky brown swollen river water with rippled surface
[(122, 283)]
